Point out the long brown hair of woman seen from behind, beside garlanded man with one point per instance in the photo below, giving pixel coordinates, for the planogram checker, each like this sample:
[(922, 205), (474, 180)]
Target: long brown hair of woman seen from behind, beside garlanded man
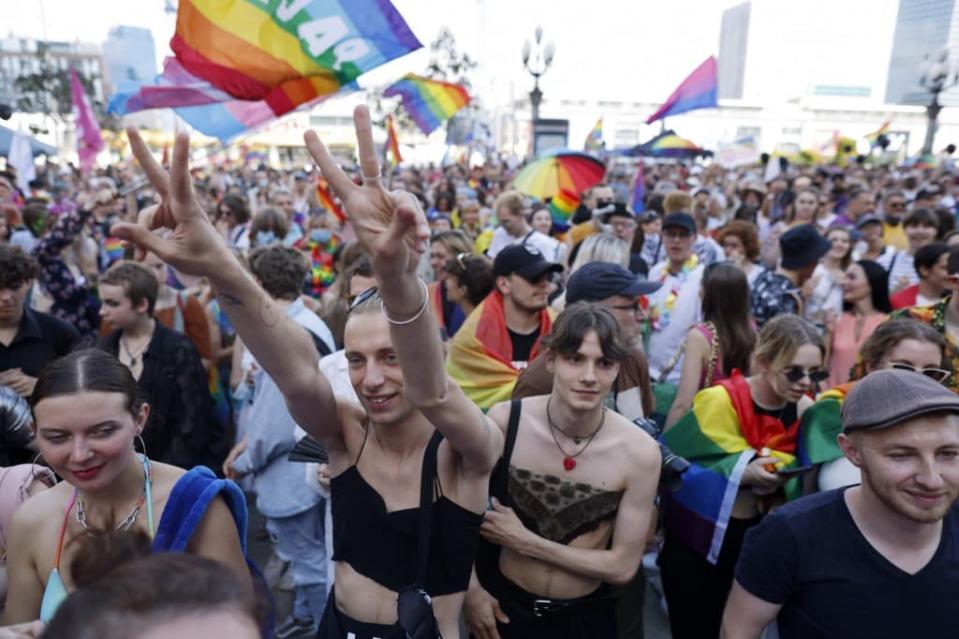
[(726, 305)]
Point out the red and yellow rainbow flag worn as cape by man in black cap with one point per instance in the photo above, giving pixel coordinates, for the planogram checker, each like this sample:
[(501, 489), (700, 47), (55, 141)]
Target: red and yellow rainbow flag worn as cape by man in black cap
[(481, 353)]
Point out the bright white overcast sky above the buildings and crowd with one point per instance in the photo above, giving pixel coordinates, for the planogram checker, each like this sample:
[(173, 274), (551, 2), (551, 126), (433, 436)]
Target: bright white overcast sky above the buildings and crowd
[(605, 49)]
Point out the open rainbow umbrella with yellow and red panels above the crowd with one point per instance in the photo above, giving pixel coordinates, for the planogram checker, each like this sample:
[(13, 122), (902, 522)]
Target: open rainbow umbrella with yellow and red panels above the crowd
[(559, 171)]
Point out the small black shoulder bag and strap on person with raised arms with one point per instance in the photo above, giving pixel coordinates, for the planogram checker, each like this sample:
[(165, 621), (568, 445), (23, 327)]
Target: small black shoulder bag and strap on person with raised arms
[(414, 606)]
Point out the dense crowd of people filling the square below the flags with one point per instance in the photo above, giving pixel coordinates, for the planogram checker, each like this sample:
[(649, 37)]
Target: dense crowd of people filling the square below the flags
[(463, 414)]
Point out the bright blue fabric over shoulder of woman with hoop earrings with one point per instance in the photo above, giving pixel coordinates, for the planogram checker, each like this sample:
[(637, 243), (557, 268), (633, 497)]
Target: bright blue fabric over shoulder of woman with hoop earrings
[(188, 503)]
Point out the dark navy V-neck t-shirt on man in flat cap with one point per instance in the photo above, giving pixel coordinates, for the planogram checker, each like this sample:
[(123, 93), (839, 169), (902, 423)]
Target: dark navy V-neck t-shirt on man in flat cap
[(811, 557)]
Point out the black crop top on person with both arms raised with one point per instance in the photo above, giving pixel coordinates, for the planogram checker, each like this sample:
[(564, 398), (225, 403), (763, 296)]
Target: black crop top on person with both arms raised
[(382, 546)]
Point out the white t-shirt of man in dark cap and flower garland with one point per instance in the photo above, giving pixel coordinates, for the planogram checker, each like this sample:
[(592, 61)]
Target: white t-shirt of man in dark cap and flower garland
[(665, 341)]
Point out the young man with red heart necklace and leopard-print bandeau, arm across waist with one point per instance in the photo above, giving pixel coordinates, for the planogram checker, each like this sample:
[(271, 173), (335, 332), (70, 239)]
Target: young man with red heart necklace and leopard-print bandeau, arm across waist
[(580, 489)]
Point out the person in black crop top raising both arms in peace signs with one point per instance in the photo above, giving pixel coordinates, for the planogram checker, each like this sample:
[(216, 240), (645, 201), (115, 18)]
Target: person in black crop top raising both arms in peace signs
[(395, 356)]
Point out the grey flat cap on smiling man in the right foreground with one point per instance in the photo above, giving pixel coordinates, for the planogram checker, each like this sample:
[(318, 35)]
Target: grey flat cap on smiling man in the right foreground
[(888, 397)]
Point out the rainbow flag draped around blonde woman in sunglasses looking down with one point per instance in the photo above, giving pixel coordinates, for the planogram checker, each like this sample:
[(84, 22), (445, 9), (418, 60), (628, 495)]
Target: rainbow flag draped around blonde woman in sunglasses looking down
[(719, 437)]
